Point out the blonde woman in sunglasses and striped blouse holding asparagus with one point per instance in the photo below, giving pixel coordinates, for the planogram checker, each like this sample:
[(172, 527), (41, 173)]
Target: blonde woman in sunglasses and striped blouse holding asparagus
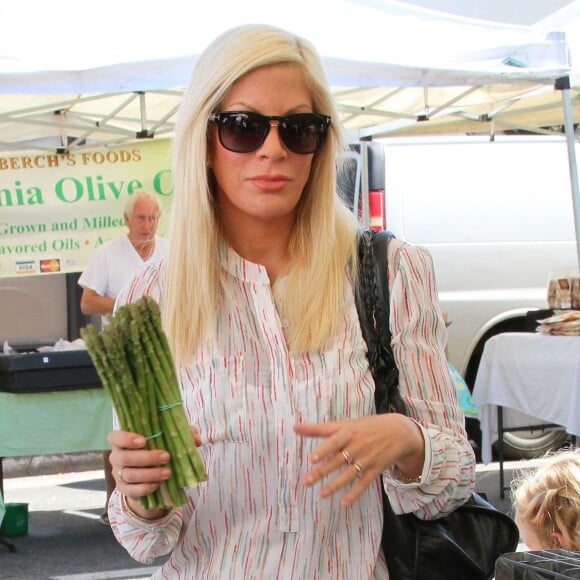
[(257, 300)]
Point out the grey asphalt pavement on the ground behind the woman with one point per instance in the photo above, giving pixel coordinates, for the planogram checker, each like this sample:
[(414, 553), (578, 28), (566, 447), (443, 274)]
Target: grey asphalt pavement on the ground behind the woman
[(66, 540)]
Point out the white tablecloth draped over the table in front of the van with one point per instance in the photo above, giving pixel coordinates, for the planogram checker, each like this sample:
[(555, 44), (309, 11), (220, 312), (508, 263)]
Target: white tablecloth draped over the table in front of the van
[(535, 375)]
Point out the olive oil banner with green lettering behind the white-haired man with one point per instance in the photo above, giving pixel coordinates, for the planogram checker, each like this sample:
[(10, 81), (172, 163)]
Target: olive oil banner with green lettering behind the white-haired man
[(57, 209)]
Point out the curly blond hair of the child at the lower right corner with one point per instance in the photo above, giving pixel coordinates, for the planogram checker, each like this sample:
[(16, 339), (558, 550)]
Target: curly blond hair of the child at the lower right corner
[(548, 500)]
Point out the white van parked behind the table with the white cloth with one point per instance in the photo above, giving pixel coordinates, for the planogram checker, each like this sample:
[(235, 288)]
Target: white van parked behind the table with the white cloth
[(497, 217)]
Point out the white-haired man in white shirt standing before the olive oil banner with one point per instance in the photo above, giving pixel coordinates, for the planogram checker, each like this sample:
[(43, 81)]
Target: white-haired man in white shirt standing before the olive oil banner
[(113, 266)]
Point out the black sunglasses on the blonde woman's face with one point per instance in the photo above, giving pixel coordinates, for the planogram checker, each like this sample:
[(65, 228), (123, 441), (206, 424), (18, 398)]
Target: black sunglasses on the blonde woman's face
[(245, 131)]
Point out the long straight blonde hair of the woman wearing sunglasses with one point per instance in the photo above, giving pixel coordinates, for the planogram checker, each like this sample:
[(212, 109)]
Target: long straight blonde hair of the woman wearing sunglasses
[(322, 242)]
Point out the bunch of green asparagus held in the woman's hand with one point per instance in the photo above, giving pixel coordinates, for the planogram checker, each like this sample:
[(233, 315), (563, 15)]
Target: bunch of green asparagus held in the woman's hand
[(134, 363)]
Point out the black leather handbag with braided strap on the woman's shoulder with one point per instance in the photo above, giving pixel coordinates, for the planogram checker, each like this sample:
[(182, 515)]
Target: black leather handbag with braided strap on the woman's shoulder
[(465, 544)]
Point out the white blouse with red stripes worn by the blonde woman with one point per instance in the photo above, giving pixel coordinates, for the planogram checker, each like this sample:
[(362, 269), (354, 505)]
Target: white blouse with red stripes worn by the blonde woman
[(253, 518)]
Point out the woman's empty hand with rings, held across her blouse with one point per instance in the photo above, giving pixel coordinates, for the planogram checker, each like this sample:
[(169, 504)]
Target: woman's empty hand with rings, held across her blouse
[(356, 451)]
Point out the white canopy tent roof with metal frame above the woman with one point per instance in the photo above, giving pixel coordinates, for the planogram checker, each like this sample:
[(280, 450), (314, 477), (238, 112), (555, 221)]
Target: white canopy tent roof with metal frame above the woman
[(75, 76)]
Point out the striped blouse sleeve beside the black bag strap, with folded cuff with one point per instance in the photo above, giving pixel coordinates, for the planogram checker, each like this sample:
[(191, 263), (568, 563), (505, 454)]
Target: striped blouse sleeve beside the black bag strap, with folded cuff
[(419, 336)]
